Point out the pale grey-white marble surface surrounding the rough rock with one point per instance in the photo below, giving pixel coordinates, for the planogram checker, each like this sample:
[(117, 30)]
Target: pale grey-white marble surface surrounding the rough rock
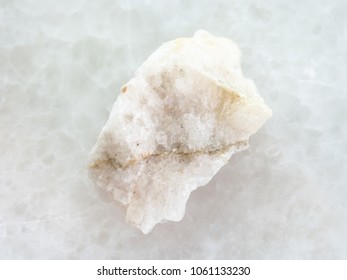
[(61, 66)]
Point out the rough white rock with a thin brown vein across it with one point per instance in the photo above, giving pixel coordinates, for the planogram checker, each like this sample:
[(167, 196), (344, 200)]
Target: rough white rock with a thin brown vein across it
[(174, 125)]
